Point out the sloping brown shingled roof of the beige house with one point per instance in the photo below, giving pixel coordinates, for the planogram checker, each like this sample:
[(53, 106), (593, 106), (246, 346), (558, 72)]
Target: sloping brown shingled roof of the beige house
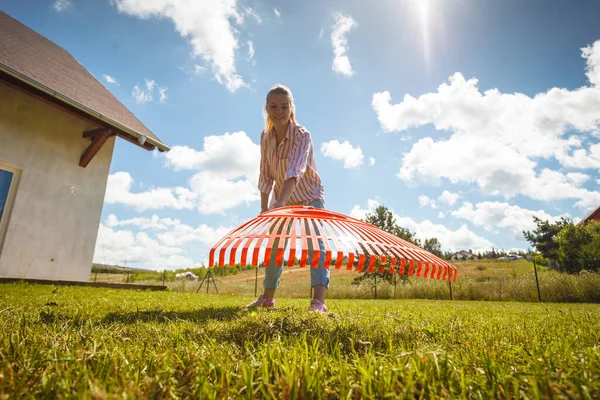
[(30, 61)]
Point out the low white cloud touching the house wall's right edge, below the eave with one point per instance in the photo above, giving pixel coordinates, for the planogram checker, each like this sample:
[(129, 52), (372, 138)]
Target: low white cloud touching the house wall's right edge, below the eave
[(118, 191)]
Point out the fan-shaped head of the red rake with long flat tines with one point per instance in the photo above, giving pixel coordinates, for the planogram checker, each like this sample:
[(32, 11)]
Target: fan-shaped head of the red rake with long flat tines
[(290, 232)]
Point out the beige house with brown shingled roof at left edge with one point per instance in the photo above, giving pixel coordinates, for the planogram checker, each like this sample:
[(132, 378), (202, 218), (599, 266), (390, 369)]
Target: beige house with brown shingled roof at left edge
[(58, 127)]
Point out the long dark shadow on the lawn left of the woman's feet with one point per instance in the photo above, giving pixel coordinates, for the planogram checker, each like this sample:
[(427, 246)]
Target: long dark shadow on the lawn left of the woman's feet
[(200, 315)]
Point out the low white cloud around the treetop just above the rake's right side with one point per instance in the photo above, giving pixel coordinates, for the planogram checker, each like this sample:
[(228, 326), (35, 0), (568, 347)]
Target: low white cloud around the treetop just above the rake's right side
[(462, 238)]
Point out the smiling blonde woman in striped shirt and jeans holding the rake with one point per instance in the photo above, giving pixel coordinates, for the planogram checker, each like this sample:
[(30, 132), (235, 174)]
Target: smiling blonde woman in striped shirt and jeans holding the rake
[(287, 160)]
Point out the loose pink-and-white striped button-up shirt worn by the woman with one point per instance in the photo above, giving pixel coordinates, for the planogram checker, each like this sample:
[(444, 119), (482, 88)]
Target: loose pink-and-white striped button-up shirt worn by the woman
[(293, 158)]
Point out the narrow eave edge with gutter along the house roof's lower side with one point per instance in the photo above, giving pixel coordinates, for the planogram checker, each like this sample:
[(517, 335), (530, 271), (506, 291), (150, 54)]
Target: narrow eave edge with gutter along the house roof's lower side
[(39, 86)]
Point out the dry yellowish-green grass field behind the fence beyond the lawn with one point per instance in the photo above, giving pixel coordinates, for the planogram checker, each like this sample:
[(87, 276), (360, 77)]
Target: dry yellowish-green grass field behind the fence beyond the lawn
[(497, 280)]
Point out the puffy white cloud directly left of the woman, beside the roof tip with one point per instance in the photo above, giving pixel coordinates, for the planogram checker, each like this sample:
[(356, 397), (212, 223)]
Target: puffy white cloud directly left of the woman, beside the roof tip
[(227, 171)]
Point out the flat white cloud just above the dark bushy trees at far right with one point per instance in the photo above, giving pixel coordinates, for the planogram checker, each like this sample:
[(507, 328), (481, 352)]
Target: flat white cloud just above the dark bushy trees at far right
[(492, 215)]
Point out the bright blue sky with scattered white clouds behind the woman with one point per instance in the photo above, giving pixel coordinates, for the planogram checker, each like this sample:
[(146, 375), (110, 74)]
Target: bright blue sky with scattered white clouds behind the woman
[(464, 117)]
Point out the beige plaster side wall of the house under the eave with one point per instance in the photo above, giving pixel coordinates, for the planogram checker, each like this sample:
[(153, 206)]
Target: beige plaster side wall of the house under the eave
[(52, 229)]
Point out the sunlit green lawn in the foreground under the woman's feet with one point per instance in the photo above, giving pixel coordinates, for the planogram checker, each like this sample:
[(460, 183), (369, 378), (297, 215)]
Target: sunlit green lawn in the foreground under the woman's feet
[(61, 342)]
